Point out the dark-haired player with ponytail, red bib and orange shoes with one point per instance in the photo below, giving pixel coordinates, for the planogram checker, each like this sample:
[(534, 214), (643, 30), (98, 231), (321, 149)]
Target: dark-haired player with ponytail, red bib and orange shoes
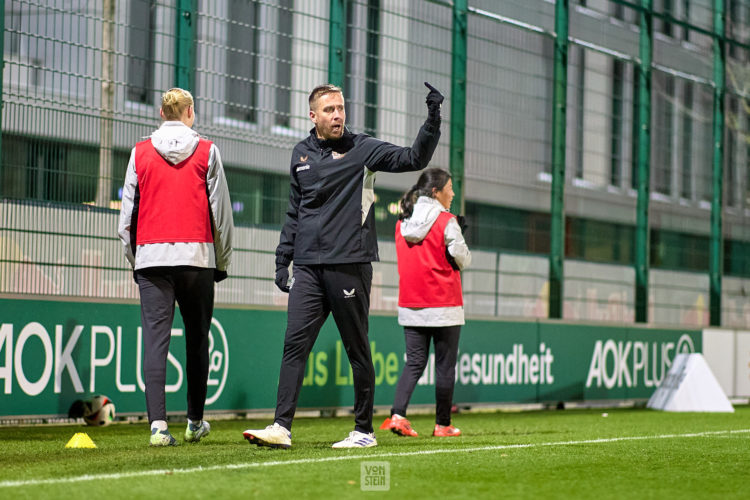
[(431, 253)]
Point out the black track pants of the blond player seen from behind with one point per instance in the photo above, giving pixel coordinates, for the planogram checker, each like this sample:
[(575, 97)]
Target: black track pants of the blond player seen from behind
[(193, 289)]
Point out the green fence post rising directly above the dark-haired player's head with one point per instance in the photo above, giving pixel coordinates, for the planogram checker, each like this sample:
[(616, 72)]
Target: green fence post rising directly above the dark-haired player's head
[(458, 103)]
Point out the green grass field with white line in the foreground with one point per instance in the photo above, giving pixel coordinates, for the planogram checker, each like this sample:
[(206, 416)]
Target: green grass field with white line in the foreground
[(630, 453)]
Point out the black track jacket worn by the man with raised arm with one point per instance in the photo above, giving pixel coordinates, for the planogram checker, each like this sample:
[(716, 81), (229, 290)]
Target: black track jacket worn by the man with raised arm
[(330, 219)]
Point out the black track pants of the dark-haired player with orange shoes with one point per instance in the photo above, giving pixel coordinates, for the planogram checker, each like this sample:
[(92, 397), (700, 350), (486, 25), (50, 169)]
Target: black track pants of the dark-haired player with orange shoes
[(417, 354)]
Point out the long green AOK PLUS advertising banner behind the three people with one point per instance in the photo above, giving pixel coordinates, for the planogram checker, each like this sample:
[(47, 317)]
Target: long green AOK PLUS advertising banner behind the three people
[(52, 353)]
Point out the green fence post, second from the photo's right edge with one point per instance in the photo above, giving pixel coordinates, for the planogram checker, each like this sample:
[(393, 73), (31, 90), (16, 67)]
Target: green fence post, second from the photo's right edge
[(643, 162)]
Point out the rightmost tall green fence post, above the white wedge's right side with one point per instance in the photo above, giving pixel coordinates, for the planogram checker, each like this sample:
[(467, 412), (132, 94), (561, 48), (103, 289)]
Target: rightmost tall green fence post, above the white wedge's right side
[(716, 252)]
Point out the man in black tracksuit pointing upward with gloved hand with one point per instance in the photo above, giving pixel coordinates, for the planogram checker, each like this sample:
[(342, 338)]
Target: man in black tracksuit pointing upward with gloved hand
[(329, 234)]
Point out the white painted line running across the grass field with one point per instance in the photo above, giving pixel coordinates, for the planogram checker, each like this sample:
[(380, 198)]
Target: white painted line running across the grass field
[(368, 456)]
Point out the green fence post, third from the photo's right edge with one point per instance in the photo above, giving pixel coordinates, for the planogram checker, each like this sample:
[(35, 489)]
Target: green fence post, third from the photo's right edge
[(557, 210)]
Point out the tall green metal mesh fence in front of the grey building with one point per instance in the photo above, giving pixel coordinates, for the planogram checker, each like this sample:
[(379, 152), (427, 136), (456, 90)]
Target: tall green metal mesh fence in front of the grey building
[(599, 148)]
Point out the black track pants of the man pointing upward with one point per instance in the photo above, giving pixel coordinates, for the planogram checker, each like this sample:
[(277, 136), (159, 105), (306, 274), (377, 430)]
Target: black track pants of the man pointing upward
[(344, 291)]
